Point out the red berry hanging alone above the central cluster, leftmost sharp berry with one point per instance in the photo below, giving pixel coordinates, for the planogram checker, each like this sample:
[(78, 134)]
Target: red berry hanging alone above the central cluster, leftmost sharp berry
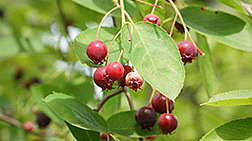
[(97, 51)]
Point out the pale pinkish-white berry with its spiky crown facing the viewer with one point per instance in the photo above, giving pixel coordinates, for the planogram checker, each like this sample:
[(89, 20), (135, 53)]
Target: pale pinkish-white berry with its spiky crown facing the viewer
[(134, 80)]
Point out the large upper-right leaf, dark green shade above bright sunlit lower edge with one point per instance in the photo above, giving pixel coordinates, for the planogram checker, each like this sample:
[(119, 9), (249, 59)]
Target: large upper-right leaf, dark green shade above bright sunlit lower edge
[(223, 27)]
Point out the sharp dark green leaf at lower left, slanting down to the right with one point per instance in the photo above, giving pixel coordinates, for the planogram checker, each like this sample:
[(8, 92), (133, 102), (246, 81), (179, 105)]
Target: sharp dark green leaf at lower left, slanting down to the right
[(75, 113)]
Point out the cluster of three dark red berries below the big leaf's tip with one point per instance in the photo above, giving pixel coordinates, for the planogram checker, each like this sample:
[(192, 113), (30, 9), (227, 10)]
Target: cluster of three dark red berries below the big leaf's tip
[(146, 116)]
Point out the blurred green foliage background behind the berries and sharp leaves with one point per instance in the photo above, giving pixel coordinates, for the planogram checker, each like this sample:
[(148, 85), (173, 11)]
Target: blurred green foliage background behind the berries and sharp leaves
[(36, 51)]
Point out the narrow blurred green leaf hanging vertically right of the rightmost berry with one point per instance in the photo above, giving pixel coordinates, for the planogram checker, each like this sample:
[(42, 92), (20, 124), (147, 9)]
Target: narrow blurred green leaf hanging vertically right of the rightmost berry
[(205, 64)]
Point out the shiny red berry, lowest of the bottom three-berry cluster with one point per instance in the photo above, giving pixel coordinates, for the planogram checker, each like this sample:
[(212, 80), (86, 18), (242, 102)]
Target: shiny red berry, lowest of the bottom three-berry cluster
[(167, 123)]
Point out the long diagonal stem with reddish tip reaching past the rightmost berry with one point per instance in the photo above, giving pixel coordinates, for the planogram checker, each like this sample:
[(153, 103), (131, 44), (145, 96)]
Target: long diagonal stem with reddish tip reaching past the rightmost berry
[(184, 25)]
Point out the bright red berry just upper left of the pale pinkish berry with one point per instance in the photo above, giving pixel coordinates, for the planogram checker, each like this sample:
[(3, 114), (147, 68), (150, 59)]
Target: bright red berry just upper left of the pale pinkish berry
[(114, 71)]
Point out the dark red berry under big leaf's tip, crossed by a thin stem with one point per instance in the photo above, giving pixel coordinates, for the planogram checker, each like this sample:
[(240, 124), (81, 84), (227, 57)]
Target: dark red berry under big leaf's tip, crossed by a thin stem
[(159, 103)]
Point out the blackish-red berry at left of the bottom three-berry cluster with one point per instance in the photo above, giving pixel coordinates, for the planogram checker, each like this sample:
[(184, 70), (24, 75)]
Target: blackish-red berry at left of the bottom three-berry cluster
[(146, 117)]
